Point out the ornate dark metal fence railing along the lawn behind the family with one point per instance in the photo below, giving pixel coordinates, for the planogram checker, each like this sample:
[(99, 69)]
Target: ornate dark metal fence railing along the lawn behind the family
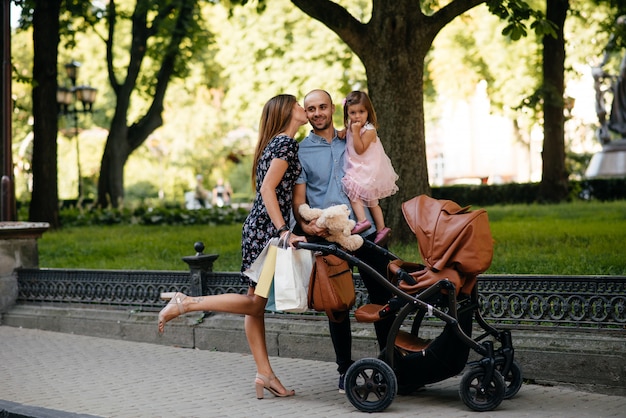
[(590, 302)]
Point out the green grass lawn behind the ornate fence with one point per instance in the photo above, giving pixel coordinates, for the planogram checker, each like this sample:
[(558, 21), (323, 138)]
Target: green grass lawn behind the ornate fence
[(580, 238)]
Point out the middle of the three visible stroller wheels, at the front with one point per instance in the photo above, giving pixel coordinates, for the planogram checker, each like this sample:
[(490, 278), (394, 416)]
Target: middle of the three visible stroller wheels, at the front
[(479, 395)]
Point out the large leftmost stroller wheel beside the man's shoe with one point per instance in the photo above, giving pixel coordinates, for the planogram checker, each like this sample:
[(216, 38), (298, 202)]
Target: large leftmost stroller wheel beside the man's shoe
[(370, 385)]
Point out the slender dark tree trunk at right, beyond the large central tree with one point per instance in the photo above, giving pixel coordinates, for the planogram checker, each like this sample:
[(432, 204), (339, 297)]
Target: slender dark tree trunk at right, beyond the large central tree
[(554, 187)]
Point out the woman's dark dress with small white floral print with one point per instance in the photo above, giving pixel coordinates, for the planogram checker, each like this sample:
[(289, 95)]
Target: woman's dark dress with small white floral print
[(258, 228)]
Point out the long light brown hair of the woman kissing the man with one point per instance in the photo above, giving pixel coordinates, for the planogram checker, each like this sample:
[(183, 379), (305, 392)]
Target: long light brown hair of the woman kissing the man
[(275, 118)]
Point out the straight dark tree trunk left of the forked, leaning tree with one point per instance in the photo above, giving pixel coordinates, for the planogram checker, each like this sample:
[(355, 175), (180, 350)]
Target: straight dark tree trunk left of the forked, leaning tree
[(44, 205)]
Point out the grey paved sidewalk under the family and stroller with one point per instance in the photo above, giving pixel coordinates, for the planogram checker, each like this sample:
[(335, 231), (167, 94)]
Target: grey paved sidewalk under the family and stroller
[(47, 374)]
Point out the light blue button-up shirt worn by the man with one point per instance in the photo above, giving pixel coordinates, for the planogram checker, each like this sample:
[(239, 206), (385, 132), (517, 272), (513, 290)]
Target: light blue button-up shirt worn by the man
[(322, 171)]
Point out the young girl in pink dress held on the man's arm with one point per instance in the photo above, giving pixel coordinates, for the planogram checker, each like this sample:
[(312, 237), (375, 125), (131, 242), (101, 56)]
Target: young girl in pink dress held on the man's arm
[(369, 175)]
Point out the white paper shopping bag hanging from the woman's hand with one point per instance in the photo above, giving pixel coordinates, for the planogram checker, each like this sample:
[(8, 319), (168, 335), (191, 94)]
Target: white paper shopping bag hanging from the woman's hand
[(291, 279)]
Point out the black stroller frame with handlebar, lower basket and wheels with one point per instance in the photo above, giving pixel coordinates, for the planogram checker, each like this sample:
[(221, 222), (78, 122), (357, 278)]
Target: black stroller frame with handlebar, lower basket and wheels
[(371, 384)]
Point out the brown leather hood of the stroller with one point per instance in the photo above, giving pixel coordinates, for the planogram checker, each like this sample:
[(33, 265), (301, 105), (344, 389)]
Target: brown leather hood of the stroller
[(450, 236)]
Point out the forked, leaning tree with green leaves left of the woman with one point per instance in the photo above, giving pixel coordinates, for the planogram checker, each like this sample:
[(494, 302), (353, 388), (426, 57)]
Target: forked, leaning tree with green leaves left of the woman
[(162, 33)]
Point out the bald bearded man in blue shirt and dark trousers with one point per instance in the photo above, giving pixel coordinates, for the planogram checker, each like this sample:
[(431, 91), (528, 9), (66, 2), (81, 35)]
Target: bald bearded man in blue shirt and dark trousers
[(321, 156)]
